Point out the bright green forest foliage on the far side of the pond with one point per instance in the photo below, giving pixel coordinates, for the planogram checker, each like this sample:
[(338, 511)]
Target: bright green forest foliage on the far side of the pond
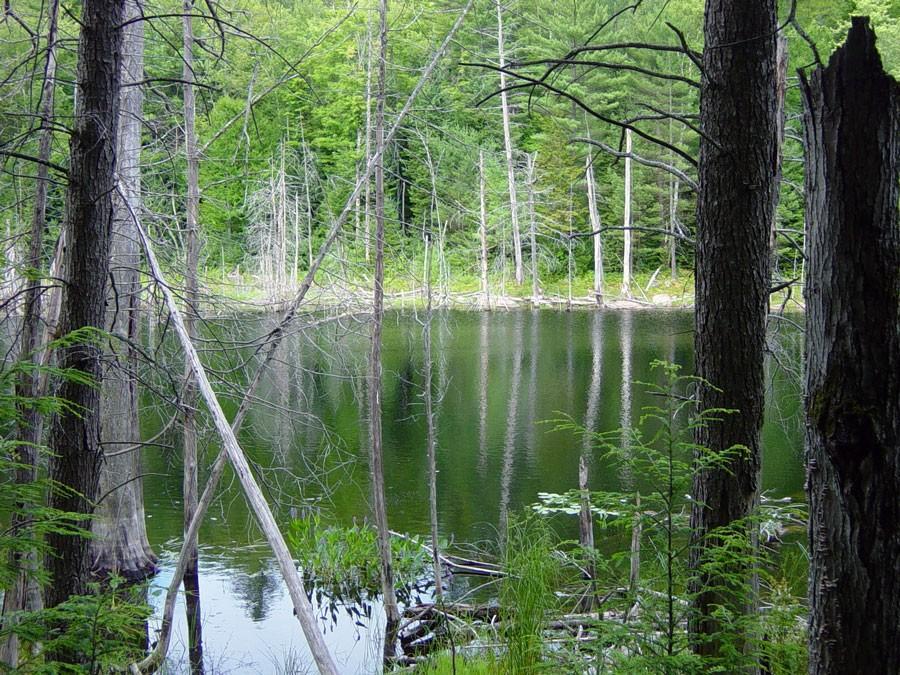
[(296, 74)]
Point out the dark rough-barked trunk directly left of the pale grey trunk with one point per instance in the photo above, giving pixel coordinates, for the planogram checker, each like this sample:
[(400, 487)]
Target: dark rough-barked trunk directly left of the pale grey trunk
[(75, 434)]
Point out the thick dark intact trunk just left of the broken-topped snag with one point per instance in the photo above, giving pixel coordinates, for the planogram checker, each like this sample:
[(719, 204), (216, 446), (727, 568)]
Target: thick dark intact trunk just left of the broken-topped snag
[(738, 152)]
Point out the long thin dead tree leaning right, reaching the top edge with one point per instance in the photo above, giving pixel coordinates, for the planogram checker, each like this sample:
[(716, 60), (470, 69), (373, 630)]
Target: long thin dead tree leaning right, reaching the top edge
[(271, 343)]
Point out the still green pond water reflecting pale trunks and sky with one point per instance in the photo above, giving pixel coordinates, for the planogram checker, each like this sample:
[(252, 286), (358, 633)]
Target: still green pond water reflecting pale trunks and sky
[(497, 377)]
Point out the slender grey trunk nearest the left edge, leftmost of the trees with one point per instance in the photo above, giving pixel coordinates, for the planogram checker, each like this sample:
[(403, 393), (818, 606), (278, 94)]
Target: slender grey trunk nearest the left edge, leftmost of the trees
[(24, 593)]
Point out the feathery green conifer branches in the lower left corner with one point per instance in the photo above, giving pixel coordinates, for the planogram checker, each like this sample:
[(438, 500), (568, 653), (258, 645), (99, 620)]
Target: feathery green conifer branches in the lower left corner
[(96, 631)]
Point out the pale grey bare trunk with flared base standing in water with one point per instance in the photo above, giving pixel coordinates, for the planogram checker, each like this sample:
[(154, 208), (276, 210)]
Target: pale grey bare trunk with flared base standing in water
[(120, 543)]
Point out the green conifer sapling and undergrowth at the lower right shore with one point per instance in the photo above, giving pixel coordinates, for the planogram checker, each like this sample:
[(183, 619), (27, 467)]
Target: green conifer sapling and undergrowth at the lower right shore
[(644, 625)]
